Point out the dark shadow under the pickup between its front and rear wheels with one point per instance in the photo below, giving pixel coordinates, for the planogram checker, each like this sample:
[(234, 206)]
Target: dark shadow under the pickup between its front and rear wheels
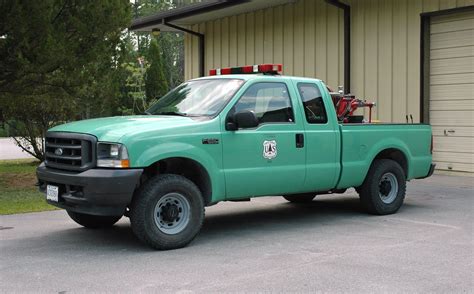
[(280, 217)]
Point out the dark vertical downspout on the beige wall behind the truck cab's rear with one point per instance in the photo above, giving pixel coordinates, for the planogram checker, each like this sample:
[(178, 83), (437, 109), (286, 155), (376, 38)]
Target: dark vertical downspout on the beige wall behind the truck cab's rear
[(347, 42)]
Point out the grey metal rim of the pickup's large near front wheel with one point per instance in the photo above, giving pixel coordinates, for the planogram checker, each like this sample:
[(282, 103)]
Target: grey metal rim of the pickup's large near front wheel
[(172, 213)]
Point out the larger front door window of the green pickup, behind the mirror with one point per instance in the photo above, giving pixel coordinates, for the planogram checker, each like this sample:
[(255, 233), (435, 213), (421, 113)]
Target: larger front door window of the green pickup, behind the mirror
[(269, 101)]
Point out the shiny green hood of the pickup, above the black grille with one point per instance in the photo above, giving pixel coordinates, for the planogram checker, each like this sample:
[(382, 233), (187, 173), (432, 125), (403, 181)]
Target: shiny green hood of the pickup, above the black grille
[(111, 129)]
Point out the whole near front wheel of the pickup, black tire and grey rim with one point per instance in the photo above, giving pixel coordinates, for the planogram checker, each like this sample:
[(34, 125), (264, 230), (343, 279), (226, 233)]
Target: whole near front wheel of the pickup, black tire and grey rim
[(167, 212)]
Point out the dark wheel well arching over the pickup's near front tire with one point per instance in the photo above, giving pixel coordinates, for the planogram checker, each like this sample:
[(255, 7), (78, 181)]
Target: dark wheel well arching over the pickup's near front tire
[(188, 168)]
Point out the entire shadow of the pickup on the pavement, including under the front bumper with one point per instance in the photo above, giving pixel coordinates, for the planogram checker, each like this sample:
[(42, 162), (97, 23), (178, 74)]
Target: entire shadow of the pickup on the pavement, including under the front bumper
[(225, 224)]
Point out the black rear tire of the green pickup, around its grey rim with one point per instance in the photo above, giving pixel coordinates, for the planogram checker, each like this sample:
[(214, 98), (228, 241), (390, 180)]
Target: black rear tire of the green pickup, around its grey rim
[(370, 190)]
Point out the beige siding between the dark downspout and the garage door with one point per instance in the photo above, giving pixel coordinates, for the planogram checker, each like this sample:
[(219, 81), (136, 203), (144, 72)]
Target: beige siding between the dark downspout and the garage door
[(386, 53)]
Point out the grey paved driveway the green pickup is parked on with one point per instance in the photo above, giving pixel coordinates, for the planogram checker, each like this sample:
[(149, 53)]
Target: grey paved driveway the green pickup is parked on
[(263, 245)]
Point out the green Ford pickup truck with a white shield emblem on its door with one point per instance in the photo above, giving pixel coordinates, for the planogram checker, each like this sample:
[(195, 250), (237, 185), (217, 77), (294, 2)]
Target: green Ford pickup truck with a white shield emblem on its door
[(227, 137)]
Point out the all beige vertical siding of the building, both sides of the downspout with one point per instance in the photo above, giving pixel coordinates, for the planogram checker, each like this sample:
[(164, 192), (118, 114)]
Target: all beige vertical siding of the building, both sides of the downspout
[(307, 37)]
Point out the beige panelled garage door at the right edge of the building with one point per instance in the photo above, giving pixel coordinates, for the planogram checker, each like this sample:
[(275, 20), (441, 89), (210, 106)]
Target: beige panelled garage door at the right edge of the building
[(452, 91)]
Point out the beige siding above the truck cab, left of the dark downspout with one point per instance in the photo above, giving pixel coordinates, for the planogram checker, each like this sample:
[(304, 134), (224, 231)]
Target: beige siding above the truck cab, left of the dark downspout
[(306, 37)]
